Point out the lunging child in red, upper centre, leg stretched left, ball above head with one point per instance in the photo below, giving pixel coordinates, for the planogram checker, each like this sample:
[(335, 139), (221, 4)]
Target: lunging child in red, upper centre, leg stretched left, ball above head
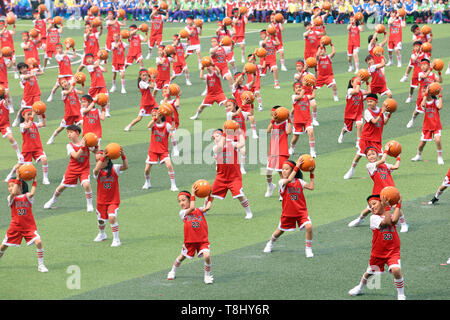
[(214, 89)]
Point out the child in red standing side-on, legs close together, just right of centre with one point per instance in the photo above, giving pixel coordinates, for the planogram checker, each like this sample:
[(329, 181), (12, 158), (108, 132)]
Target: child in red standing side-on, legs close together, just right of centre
[(278, 148)]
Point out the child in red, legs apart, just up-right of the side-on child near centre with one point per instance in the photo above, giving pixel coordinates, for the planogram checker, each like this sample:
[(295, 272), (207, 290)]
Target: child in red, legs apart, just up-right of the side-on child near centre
[(301, 116)]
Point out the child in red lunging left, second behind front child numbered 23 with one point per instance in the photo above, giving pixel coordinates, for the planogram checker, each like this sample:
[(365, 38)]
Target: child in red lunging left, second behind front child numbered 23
[(375, 120)]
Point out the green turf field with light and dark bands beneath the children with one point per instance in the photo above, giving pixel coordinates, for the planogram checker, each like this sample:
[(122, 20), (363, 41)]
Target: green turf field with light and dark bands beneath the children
[(152, 232)]
